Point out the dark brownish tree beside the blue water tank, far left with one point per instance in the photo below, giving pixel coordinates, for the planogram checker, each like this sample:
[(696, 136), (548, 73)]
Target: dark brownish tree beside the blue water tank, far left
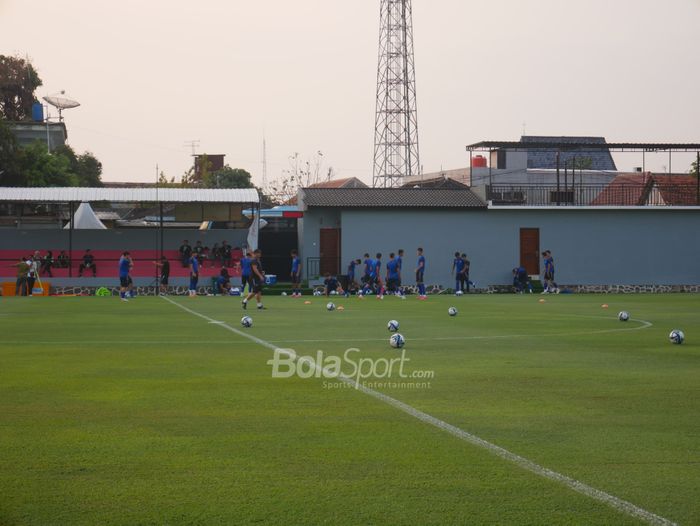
[(18, 81)]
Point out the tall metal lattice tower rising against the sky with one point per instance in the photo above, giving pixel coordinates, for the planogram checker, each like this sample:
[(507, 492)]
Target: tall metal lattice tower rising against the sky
[(396, 125)]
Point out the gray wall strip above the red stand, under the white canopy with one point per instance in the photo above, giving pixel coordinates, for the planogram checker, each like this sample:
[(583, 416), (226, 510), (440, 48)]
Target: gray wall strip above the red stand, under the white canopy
[(118, 239)]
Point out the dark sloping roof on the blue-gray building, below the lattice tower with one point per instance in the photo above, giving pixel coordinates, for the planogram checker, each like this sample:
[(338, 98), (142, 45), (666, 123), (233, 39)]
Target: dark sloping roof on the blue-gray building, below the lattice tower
[(390, 198)]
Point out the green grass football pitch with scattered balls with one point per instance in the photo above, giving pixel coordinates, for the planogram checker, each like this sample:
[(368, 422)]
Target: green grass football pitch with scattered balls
[(144, 413)]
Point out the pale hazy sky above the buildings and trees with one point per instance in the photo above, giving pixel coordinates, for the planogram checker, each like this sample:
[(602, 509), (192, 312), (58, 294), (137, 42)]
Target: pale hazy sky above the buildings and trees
[(153, 75)]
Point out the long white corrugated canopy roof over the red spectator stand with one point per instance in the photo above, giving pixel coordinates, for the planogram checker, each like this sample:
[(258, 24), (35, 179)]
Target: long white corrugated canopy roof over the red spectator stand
[(131, 195)]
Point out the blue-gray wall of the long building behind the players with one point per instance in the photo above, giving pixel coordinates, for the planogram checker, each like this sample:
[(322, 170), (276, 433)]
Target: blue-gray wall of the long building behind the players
[(590, 246)]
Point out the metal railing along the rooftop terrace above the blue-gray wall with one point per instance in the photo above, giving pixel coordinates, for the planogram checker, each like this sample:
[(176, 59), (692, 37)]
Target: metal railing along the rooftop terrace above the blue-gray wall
[(595, 195)]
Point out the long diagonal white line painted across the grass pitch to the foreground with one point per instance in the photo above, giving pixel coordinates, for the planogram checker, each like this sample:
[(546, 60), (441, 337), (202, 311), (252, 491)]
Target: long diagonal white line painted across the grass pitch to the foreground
[(579, 487)]
